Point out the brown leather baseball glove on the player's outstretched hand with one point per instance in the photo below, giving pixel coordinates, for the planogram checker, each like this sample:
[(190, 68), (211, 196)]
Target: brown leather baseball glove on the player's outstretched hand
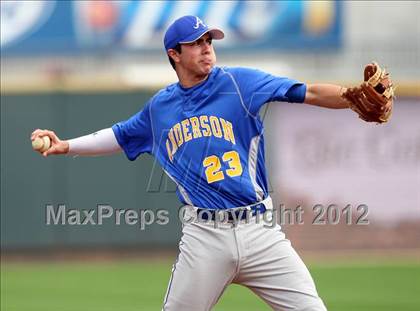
[(373, 99)]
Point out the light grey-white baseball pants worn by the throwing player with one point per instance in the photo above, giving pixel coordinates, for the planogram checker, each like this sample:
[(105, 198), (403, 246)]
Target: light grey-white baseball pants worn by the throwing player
[(250, 254)]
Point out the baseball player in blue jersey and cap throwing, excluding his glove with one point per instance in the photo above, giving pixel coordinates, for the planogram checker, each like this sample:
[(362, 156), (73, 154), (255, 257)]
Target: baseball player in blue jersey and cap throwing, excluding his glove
[(206, 133)]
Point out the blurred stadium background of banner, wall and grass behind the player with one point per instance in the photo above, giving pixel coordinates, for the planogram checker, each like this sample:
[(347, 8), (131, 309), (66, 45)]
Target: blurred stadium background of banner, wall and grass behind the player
[(80, 66)]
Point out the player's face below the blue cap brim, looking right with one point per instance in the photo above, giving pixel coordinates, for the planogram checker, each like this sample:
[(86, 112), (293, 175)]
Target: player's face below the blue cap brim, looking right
[(198, 57)]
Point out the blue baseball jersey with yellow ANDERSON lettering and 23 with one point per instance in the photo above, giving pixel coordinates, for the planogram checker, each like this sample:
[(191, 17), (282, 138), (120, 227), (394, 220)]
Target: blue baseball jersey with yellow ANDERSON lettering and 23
[(209, 138)]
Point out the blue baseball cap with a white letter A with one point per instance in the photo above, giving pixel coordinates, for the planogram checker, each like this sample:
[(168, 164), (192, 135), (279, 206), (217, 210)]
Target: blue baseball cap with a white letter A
[(188, 29)]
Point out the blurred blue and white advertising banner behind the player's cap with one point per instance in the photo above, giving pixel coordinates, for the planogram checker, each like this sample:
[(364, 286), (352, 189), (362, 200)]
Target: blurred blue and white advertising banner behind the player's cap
[(29, 27)]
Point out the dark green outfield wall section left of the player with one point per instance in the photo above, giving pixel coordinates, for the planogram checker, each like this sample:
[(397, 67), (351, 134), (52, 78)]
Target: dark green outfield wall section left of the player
[(30, 182)]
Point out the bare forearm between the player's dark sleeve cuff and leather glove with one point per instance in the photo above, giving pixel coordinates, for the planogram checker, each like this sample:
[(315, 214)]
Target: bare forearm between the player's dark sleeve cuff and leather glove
[(326, 95)]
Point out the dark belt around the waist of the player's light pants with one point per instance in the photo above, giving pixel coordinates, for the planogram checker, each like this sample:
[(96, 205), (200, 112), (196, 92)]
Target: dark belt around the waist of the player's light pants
[(233, 215)]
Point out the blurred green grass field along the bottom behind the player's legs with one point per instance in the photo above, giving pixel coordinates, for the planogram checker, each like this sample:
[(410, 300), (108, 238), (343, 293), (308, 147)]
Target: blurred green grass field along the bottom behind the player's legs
[(141, 285)]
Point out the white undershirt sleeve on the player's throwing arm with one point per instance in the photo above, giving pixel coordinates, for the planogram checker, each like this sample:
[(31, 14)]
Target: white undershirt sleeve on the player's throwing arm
[(99, 143)]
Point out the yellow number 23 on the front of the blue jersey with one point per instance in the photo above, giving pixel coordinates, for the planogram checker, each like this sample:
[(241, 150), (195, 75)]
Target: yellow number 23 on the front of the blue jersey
[(213, 166)]
